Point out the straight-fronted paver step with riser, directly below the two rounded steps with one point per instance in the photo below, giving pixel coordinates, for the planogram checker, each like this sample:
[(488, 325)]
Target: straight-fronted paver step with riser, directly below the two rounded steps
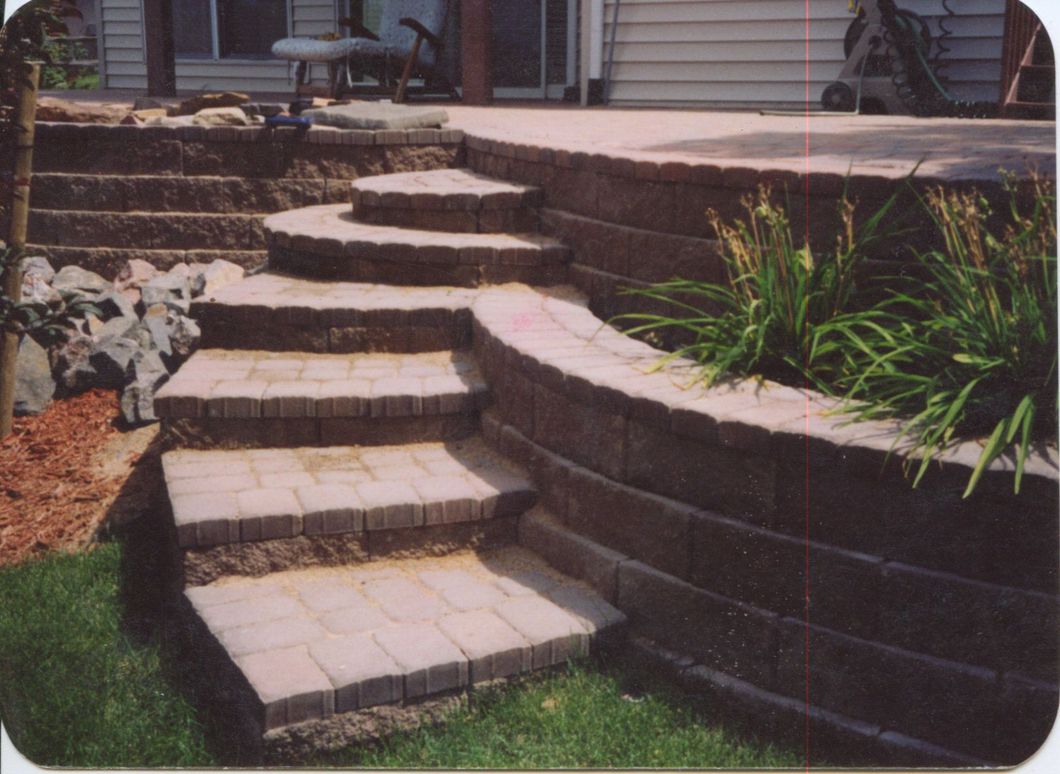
[(278, 312)]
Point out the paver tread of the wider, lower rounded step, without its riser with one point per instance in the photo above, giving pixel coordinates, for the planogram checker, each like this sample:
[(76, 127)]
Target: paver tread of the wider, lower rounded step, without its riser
[(331, 231)]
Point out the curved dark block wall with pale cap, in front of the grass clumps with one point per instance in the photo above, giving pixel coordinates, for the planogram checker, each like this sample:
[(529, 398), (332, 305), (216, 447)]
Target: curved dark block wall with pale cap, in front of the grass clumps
[(932, 619)]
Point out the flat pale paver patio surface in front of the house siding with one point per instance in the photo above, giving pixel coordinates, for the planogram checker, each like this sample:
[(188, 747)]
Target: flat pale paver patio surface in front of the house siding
[(888, 146)]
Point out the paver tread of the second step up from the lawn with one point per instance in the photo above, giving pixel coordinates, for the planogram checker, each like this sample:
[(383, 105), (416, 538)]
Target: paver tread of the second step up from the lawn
[(246, 496)]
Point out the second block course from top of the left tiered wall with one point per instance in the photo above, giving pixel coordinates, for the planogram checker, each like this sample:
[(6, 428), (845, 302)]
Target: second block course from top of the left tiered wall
[(173, 193)]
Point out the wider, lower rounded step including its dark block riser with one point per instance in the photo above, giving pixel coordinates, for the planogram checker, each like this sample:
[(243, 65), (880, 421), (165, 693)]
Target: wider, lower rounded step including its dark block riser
[(327, 242)]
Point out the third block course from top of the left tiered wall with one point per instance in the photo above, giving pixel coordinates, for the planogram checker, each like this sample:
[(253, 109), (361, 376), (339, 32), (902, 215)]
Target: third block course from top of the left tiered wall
[(147, 231)]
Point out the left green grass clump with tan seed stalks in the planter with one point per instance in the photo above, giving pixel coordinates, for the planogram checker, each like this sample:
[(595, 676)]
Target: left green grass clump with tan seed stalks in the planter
[(765, 320)]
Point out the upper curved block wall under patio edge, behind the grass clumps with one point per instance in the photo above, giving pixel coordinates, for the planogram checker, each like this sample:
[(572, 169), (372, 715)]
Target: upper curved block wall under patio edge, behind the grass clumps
[(635, 222)]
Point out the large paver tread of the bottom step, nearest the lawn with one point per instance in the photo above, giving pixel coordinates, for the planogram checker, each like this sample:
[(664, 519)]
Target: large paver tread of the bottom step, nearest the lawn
[(313, 644)]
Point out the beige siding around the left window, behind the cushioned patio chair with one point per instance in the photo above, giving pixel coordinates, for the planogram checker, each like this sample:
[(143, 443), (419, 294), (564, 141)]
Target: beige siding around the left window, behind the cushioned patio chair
[(122, 27)]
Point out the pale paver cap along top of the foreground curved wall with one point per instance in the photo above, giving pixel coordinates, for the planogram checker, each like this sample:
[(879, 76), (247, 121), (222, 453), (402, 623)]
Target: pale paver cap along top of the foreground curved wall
[(626, 376)]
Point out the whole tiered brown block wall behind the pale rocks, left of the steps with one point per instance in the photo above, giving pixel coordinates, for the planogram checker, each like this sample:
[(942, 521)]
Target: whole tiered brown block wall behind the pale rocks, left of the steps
[(104, 195)]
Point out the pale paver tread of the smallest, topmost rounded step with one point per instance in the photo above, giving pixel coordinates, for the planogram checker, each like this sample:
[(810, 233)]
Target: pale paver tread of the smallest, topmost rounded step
[(461, 189)]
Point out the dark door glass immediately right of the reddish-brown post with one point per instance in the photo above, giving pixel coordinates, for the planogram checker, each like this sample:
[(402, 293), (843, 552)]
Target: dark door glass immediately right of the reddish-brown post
[(517, 44)]
